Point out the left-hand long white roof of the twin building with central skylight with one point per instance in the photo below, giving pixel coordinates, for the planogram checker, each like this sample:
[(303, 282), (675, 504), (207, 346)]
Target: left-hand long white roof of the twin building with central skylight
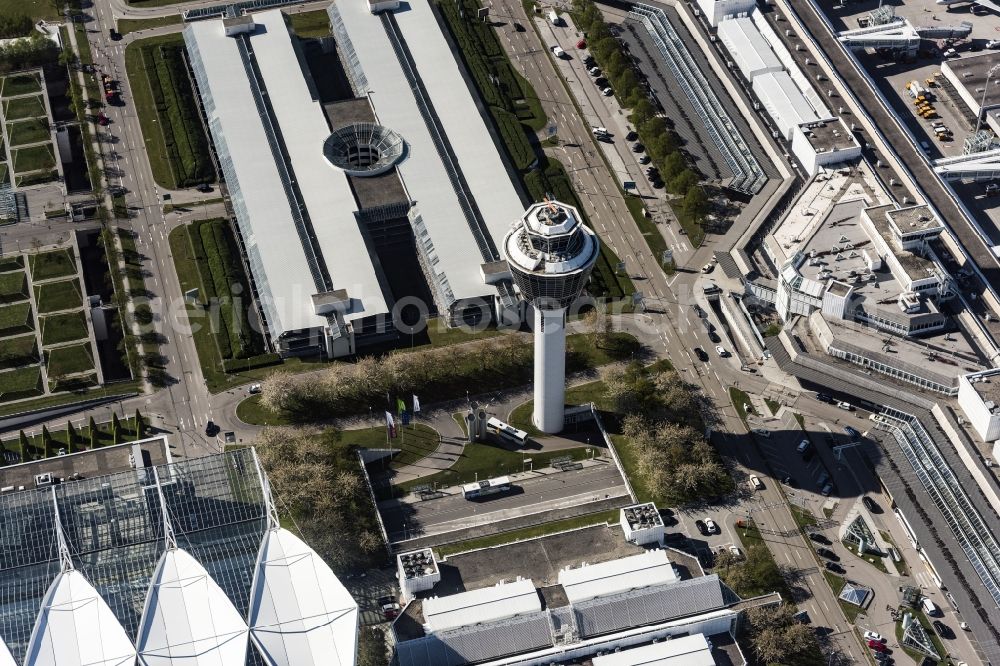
[(266, 220)]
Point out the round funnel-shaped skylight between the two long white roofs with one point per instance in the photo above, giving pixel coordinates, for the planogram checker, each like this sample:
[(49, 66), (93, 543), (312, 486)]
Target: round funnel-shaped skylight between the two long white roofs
[(363, 149)]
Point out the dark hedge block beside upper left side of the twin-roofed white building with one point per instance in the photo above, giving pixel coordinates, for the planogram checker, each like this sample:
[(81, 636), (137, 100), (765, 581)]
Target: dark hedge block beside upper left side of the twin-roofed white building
[(183, 136)]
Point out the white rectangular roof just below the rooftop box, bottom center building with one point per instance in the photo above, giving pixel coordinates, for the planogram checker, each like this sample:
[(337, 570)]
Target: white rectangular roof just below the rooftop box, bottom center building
[(628, 573)]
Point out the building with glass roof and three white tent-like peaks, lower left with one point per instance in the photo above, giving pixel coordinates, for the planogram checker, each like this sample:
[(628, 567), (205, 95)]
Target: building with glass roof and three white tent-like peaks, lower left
[(123, 553)]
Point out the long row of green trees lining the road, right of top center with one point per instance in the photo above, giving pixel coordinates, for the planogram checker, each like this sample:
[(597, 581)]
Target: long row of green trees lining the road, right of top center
[(654, 130)]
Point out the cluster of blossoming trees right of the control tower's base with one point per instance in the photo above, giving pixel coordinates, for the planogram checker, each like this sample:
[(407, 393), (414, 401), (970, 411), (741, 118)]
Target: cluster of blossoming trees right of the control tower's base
[(662, 423)]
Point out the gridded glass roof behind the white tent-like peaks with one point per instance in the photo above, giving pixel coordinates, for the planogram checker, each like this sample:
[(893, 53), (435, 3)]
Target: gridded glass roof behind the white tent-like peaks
[(114, 530)]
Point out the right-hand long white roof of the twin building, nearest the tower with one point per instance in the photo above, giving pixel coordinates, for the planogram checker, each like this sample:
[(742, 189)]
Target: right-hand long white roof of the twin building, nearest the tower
[(422, 171)]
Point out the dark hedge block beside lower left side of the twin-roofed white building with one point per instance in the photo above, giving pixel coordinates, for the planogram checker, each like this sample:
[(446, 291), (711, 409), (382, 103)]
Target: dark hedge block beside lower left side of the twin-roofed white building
[(226, 276)]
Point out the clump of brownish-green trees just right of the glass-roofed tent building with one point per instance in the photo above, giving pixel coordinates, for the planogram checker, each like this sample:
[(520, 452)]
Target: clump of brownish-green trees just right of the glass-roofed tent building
[(315, 478)]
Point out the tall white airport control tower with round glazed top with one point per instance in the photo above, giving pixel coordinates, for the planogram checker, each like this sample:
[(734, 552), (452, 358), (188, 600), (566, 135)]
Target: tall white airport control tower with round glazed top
[(550, 253)]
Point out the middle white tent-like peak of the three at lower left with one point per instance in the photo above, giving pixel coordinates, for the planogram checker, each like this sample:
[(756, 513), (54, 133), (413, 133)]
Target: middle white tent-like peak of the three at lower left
[(188, 619)]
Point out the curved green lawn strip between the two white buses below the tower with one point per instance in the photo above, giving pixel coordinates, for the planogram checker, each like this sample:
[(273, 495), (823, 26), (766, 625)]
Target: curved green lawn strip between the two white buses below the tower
[(484, 461)]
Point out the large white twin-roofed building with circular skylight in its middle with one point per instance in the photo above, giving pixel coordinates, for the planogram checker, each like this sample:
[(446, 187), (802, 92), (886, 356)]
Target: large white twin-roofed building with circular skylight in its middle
[(355, 164)]
